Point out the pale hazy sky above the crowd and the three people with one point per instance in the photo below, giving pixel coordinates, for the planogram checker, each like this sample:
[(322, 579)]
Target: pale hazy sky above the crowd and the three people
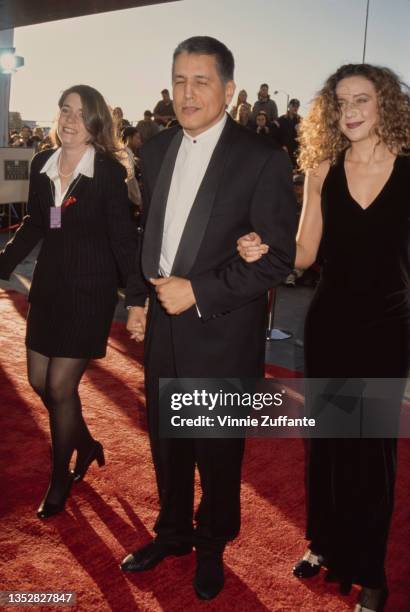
[(291, 44)]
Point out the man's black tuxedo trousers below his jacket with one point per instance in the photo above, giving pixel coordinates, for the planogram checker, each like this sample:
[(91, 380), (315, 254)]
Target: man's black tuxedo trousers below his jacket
[(218, 460)]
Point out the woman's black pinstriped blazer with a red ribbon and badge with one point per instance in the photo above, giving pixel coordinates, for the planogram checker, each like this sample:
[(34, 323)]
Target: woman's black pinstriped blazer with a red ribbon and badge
[(95, 245)]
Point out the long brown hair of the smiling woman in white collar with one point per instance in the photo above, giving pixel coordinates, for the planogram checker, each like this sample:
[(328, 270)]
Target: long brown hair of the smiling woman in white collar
[(97, 119)]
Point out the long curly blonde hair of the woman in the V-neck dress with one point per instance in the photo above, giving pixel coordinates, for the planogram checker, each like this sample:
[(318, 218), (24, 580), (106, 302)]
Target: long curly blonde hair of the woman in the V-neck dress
[(320, 137)]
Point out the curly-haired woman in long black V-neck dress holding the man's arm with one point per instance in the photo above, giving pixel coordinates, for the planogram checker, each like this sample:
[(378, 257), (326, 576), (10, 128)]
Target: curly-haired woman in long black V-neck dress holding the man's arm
[(354, 146)]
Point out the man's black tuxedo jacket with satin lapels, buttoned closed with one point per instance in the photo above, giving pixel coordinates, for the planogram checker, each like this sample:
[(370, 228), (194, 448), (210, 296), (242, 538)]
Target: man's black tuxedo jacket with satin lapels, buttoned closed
[(247, 187)]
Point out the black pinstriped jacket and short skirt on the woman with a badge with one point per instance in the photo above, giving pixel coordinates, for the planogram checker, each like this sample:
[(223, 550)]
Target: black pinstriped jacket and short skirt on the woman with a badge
[(80, 264)]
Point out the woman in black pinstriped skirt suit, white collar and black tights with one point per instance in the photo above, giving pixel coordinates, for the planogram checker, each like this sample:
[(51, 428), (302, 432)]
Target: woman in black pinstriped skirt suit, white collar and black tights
[(78, 207)]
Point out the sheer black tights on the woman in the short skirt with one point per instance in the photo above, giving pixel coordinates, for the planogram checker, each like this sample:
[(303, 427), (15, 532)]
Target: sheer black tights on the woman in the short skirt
[(56, 381)]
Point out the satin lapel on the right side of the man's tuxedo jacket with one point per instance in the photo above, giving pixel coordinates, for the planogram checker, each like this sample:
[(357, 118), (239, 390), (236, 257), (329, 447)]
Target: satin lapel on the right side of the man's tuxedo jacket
[(200, 212)]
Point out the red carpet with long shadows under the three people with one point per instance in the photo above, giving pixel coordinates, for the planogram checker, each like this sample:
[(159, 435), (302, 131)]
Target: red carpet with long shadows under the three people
[(114, 509)]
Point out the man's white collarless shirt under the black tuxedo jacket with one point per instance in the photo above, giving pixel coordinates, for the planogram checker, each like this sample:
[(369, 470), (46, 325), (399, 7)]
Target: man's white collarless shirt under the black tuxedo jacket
[(191, 163)]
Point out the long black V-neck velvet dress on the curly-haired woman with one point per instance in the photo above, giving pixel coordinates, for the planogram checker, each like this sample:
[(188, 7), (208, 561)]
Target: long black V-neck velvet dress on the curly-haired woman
[(358, 326)]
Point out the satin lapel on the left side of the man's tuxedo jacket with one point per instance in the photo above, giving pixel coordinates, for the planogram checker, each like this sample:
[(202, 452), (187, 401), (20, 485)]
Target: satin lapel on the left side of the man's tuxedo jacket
[(151, 250)]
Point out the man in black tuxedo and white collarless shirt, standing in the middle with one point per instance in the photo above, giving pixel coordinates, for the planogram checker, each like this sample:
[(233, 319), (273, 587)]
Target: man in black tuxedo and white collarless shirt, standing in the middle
[(205, 185)]
